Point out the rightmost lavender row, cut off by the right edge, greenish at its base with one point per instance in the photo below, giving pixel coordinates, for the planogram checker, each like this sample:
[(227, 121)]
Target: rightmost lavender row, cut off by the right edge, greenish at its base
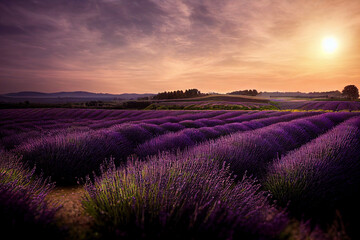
[(321, 176)]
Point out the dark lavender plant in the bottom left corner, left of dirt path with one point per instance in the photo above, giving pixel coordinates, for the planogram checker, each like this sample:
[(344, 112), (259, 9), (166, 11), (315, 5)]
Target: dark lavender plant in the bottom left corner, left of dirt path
[(24, 212)]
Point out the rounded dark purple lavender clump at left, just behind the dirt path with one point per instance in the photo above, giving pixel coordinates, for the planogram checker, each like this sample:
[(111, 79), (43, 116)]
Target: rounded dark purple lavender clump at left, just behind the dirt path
[(68, 157)]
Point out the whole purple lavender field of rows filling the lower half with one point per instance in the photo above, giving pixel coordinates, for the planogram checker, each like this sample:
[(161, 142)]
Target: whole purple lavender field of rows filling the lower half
[(180, 174)]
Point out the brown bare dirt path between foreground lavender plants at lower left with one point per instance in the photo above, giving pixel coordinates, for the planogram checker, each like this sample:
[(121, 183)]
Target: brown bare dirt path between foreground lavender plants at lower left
[(71, 215)]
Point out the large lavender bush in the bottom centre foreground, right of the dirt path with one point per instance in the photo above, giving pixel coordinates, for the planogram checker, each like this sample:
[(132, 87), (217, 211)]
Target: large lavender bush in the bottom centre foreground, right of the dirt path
[(179, 197)]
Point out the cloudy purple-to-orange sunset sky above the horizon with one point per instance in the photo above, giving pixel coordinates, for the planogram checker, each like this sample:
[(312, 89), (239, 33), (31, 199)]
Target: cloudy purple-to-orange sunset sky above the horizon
[(150, 46)]
